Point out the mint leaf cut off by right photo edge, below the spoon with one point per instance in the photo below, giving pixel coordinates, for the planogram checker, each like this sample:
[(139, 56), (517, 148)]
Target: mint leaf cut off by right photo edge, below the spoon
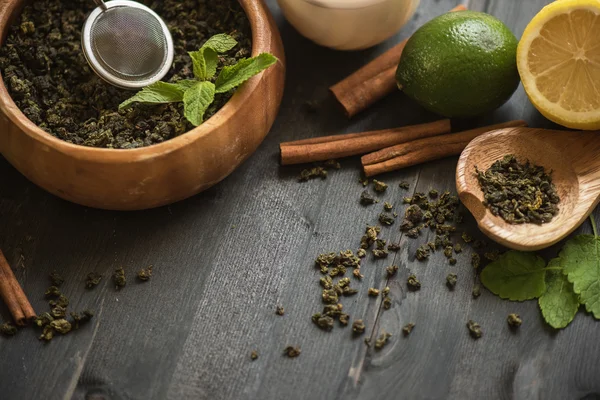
[(580, 258)]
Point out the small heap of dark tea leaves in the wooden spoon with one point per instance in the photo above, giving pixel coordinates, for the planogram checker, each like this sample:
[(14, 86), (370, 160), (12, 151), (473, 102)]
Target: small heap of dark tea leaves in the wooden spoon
[(519, 193)]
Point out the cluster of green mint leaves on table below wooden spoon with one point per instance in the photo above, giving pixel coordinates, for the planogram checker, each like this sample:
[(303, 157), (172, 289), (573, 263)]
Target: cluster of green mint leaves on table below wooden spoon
[(560, 287)]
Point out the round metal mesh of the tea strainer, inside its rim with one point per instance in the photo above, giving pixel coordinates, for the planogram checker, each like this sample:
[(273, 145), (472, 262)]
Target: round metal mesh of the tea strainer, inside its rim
[(129, 42)]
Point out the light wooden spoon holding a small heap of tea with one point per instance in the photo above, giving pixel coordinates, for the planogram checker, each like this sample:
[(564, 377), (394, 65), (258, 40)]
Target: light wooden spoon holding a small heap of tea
[(573, 157)]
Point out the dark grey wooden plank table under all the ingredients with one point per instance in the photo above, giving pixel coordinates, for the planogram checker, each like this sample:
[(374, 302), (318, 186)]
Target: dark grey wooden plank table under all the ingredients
[(227, 257)]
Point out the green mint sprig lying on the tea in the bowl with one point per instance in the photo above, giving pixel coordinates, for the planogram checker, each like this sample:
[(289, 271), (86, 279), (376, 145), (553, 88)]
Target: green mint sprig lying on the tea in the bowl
[(198, 94)]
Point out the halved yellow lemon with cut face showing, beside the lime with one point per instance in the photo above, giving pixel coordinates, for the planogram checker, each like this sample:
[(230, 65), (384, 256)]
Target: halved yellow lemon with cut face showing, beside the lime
[(559, 62)]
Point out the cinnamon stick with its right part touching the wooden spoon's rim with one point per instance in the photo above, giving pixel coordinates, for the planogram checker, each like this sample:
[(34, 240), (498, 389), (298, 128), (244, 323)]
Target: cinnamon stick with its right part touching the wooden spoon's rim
[(423, 150)]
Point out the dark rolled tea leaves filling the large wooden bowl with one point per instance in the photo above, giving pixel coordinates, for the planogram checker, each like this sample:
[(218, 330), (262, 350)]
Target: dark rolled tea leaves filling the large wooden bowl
[(49, 79)]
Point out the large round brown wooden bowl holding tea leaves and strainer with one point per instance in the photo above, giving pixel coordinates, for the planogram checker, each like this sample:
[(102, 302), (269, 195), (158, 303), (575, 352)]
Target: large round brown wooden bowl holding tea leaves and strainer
[(160, 174)]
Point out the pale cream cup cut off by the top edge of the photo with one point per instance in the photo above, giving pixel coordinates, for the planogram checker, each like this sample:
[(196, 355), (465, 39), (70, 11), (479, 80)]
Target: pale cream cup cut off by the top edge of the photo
[(348, 24)]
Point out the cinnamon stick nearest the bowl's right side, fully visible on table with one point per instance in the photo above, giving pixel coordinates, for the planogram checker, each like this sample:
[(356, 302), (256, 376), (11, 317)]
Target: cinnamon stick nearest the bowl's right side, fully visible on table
[(339, 146)]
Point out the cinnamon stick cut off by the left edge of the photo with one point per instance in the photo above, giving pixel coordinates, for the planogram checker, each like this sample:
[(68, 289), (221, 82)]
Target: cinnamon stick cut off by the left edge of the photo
[(13, 295)]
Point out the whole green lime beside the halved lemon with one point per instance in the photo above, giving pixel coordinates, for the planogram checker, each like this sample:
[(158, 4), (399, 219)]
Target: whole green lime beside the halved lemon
[(460, 64)]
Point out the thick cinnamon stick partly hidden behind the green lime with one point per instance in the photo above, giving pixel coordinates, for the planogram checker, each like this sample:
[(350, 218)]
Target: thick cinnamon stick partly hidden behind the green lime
[(372, 82)]
